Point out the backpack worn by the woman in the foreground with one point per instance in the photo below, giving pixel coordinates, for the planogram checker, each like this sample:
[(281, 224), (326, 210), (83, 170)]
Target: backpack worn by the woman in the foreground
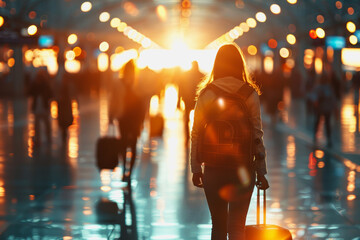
[(227, 135)]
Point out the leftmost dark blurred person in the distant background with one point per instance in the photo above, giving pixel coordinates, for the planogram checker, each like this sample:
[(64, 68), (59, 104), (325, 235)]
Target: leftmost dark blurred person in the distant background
[(41, 93)]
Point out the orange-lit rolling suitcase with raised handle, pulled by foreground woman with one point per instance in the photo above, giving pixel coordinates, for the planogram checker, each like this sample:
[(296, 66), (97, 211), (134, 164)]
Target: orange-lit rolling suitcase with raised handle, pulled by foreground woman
[(265, 231)]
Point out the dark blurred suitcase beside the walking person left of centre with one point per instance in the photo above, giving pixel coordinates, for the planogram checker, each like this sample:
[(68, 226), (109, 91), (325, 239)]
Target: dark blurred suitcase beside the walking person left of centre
[(107, 152)]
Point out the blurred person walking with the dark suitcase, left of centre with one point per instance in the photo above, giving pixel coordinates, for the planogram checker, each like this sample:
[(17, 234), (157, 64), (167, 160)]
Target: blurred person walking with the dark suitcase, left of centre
[(131, 117)]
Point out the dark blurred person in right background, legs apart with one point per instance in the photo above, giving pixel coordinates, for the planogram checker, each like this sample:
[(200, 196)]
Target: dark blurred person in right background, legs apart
[(325, 105)]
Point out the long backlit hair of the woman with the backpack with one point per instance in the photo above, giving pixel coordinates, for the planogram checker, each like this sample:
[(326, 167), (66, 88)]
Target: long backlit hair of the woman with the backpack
[(229, 62)]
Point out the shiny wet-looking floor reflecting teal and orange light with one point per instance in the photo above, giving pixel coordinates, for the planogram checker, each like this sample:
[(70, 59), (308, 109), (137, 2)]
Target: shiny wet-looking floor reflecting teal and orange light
[(54, 191)]
